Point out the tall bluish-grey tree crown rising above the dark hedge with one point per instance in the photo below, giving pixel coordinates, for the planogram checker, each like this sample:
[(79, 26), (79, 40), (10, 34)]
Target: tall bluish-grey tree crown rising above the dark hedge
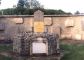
[(29, 4)]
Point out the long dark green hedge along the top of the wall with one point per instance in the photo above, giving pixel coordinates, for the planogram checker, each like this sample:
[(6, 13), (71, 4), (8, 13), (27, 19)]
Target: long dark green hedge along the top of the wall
[(24, 11)]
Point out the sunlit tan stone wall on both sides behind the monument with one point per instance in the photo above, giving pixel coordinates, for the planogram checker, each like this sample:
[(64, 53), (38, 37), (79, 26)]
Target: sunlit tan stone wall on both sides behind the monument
[(70, 27)]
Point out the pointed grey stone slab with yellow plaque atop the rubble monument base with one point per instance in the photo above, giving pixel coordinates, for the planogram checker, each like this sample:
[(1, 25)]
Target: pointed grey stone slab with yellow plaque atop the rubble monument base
[(38, 21)]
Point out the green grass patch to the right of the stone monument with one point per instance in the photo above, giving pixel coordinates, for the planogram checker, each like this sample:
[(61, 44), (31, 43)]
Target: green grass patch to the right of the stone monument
[(73, 52)]
